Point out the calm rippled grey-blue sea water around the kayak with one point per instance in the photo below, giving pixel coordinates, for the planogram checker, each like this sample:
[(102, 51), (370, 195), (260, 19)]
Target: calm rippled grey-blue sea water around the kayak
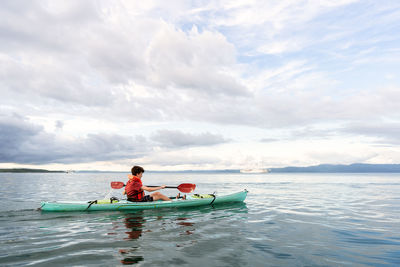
[(287, 220)]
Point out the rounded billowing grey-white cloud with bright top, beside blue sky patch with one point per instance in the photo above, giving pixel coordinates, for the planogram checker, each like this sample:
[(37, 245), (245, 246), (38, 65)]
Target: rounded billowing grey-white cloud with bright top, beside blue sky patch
[(198, 61)]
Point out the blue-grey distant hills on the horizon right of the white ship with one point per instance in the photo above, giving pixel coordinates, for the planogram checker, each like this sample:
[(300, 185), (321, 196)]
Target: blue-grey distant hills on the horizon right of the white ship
[(352, 168)]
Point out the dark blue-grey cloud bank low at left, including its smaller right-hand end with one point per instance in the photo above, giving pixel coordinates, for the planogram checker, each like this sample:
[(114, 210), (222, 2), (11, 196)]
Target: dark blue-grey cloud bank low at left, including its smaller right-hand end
[(24, 142)]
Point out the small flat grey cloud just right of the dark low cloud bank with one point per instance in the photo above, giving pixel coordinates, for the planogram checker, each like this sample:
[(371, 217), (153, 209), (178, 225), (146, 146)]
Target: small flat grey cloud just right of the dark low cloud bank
[(178, 139)]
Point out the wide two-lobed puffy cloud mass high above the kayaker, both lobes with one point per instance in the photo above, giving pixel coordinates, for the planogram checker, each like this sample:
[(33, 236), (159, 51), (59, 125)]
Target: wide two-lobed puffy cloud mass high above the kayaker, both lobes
[(166, 58)]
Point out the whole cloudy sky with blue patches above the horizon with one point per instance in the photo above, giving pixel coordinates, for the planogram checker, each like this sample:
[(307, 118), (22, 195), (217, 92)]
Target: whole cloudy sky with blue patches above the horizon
[(198, 85)]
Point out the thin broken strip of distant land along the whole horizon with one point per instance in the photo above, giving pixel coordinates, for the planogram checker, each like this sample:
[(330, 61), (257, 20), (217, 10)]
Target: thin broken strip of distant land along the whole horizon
[(323, 168)]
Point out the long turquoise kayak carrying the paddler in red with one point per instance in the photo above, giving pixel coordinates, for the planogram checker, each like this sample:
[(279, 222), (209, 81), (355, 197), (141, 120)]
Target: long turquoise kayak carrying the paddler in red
[(194, 200)]
